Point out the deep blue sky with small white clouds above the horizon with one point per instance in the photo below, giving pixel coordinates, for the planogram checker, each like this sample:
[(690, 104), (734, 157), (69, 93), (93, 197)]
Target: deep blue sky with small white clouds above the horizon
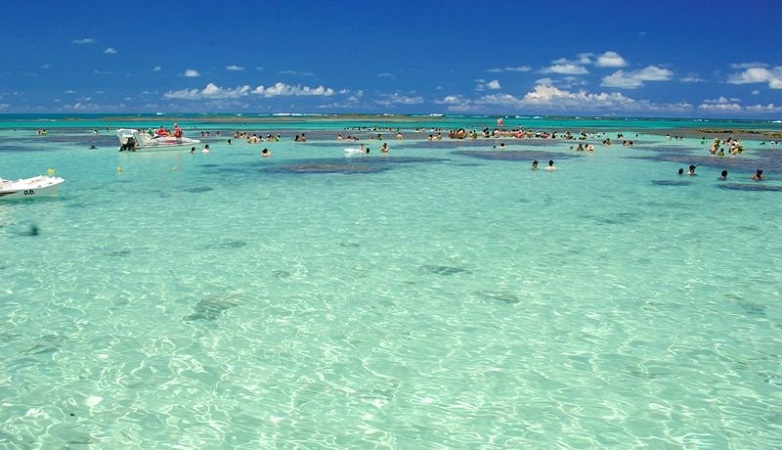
[(636, 58)]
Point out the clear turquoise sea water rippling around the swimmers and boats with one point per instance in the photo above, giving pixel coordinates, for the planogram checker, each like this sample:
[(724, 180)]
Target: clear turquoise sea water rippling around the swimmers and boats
[(443, 296)]
